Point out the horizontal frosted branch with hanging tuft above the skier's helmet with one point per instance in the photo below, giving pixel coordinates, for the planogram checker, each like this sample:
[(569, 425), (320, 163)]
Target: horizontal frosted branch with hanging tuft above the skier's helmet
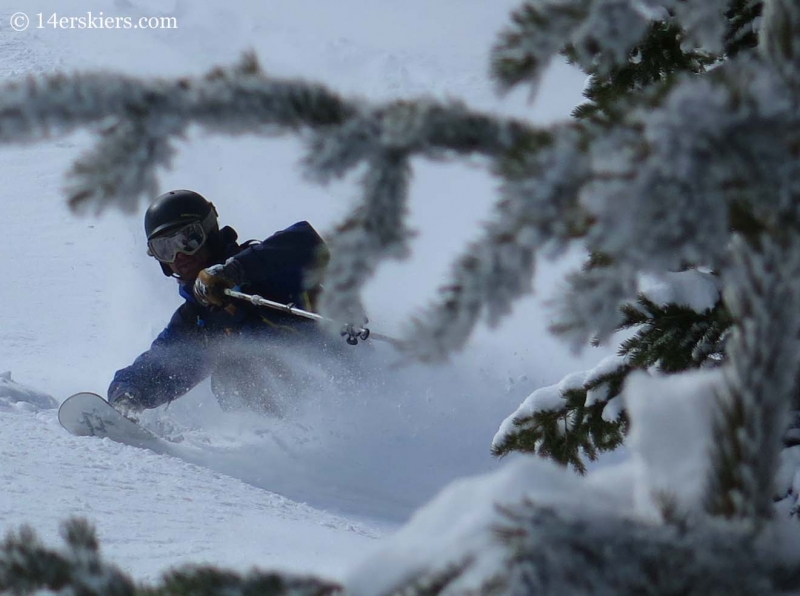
[(138, 118)]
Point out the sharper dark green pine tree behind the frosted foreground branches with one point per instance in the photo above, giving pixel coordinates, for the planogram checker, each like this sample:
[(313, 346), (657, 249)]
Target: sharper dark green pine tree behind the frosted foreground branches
[(668, 336)]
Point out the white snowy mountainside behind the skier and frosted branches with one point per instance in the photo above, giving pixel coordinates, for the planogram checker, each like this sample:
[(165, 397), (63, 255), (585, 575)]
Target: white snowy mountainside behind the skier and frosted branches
[(319, 490)]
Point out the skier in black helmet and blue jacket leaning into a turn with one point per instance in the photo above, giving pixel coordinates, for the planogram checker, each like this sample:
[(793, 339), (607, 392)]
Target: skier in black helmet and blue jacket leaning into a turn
[(210, 336)]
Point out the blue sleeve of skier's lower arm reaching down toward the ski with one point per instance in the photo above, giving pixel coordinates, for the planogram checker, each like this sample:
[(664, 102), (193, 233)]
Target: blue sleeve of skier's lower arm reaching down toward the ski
[(175, 362)]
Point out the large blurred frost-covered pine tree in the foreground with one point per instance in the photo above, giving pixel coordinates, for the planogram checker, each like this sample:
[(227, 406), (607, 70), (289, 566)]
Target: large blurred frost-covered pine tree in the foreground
[(704, 171)]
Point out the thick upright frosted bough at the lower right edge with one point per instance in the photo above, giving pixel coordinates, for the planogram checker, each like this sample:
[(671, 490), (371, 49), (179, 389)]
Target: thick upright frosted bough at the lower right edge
[(763, 294)]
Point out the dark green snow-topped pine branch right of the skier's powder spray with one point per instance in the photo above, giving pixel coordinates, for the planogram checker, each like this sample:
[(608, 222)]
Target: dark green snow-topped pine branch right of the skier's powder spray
[(670, 338)]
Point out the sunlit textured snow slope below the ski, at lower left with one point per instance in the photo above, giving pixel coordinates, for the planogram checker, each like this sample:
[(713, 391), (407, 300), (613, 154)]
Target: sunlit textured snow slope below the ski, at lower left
[(153, 511)]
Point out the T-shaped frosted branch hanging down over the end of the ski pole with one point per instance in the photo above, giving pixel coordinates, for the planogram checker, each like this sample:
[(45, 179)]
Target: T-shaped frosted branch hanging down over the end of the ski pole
[(384, 138)]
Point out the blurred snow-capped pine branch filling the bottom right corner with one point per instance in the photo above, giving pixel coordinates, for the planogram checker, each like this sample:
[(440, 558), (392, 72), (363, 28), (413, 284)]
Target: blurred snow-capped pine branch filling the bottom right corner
[(579, 545)]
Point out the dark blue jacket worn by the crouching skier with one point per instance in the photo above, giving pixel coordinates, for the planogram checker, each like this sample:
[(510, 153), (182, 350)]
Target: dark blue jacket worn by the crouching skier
[(285, 268)]
